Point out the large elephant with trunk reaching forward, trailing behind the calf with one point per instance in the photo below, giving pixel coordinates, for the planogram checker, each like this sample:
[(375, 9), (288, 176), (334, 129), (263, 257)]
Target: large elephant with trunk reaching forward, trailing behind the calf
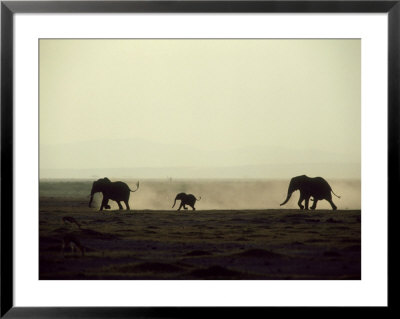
[(315, 187)]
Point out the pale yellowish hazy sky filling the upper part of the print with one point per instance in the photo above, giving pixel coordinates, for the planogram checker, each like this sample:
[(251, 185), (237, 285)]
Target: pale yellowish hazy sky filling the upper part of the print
[(273, 98)]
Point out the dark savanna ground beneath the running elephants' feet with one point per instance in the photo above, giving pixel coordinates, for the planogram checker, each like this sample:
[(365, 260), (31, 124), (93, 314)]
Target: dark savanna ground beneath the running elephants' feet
[(203, 244)]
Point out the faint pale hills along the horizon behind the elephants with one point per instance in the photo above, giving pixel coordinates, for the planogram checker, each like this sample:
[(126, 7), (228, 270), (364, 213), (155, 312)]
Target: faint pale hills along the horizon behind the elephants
[(137, 158)]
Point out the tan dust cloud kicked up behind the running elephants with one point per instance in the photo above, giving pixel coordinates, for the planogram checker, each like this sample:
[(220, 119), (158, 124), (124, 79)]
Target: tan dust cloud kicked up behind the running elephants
[(232, 194)]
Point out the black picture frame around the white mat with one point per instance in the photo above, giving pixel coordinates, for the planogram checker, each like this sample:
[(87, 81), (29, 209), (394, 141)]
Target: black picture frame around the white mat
[(9, 8)]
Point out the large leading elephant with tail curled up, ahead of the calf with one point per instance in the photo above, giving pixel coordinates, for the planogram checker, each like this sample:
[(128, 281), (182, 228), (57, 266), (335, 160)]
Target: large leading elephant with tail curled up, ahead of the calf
[(117, 191)]
